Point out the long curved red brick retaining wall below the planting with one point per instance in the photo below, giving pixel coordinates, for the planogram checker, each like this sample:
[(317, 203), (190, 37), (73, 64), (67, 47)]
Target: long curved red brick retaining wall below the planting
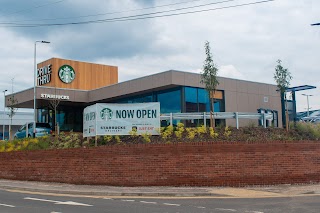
[(196, 164)]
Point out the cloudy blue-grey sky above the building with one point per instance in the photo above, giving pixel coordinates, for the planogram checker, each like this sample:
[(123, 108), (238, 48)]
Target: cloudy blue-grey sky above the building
[(246, 37)]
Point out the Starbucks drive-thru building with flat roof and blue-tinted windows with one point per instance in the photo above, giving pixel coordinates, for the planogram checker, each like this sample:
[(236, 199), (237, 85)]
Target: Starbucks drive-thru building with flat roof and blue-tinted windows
[(80, 84)]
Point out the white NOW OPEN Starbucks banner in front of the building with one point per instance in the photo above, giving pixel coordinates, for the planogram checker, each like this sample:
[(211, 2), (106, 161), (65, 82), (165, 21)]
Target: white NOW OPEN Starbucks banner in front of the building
[(121, 119)]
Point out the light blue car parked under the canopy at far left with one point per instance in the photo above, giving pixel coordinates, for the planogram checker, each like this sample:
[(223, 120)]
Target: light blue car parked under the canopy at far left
[(42, 129)]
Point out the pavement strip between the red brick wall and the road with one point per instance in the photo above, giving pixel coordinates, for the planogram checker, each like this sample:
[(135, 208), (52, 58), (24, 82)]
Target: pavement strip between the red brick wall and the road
[(179, 192)]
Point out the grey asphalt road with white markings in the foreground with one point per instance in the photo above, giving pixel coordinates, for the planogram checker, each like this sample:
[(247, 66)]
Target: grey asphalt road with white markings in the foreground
[(13, 202)]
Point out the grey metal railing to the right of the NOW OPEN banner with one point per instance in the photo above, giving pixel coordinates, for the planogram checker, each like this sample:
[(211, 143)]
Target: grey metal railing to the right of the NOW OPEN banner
[(263, 117)]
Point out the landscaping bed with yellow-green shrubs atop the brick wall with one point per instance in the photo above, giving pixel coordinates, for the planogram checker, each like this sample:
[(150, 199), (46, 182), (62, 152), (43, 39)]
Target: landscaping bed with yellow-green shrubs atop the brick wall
[(180, 134)]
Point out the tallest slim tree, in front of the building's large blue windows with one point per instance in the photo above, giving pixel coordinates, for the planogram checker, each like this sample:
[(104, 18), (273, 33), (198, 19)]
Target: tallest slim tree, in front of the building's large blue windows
[(209, 79)]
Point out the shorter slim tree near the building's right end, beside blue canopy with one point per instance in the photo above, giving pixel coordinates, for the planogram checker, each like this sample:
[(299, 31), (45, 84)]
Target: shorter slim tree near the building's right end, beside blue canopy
[(282, 76)]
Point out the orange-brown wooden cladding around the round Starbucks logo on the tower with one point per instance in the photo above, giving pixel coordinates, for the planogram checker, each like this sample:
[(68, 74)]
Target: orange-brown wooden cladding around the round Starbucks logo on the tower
[(88, 76)]
